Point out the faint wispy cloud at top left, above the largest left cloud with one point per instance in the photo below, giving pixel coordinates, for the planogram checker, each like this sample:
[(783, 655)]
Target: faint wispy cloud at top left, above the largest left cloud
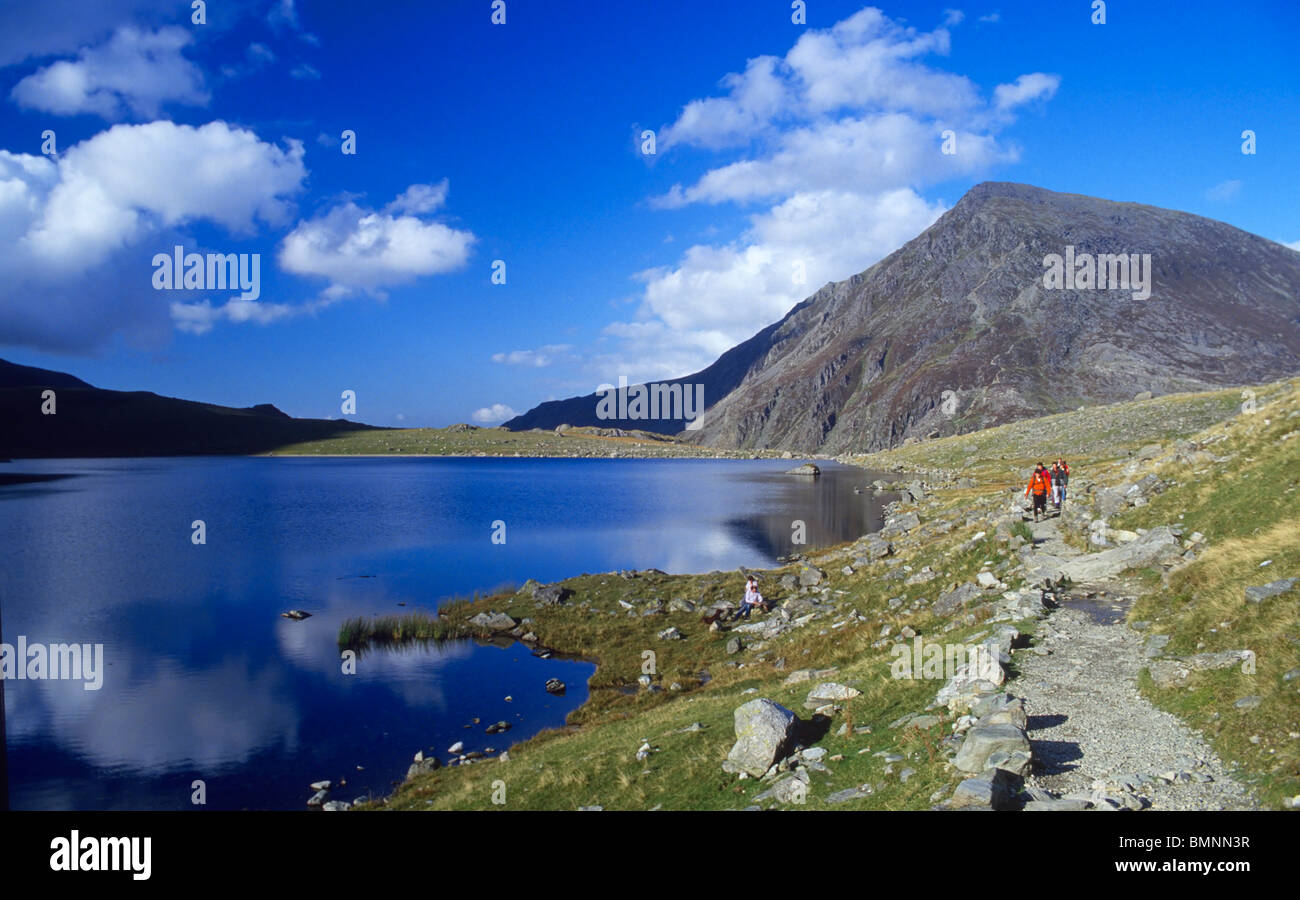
[(133, 73)]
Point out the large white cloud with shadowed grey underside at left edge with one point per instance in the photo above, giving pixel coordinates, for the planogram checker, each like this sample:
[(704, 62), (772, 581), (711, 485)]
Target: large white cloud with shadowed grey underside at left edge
[(81, 231)]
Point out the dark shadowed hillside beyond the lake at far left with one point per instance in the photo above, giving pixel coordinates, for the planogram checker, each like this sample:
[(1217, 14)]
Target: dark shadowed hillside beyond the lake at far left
[(90, 422)]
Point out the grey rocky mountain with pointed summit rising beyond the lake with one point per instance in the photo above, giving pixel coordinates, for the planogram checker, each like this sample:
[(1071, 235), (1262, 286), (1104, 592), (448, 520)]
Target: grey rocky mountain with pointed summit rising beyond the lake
[(1002, 311)]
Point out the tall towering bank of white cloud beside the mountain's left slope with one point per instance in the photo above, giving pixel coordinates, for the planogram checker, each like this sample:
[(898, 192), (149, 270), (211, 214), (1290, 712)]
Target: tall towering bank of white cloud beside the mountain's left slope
[(833, 142)]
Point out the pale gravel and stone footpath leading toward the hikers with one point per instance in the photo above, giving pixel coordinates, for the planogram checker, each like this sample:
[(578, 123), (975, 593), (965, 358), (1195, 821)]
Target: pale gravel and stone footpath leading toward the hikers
[(1090, 728)]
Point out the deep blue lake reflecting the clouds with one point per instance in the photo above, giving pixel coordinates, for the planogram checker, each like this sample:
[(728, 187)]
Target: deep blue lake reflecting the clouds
[(205, 681)]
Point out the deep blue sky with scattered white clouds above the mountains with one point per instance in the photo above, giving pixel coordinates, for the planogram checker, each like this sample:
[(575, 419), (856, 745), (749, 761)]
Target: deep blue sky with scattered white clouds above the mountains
[(782, 149)]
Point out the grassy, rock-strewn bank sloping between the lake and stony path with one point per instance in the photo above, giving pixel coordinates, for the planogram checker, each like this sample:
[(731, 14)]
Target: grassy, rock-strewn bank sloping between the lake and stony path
[(1243, 504)]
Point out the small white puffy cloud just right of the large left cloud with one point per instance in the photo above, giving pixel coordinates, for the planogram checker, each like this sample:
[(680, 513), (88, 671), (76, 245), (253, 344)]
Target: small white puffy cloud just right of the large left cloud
[(362, 250)]
